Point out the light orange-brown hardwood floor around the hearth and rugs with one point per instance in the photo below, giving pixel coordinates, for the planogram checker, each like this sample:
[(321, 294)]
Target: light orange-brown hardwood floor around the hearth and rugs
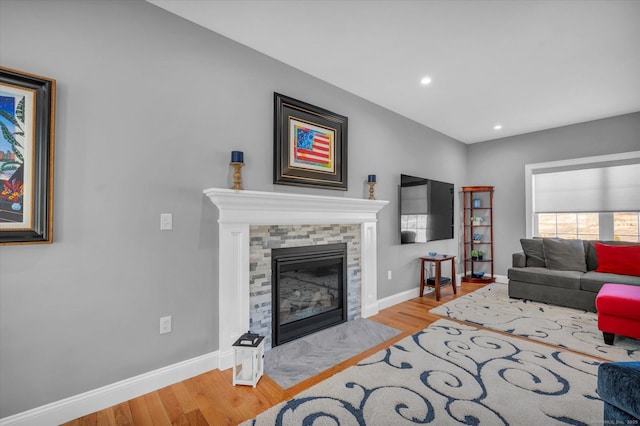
[(211, 399)]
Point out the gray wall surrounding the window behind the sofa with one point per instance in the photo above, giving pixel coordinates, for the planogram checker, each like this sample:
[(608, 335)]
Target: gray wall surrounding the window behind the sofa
[(501, 163)]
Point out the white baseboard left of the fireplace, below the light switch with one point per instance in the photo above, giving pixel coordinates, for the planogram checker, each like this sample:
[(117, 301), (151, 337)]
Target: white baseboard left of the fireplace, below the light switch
[(98, 399)]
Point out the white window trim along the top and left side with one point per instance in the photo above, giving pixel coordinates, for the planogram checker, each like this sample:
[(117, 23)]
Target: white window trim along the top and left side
[(531, 169)]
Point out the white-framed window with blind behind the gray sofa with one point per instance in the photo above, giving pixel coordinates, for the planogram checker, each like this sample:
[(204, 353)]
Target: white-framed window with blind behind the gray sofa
[(585, 198)]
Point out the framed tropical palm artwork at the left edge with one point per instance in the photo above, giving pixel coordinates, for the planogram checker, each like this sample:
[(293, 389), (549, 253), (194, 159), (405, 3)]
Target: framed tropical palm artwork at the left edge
[(27, 107)]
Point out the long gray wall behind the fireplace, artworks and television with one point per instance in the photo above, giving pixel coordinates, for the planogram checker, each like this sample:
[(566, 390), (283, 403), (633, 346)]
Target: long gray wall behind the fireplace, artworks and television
[(149, 107)]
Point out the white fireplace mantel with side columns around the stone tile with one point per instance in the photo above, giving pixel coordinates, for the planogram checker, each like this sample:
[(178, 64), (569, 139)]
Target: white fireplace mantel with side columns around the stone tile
[(238, 210)]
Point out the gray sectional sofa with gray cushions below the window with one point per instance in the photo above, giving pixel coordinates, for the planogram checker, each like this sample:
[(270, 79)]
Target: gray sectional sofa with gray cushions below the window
[(561, 272)]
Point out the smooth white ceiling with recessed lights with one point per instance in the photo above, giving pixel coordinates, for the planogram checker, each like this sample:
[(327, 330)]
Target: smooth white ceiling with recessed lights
[(526, 64)]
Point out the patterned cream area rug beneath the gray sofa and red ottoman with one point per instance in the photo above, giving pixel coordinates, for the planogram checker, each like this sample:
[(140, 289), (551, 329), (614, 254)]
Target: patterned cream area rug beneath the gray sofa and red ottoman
[(568, 328)]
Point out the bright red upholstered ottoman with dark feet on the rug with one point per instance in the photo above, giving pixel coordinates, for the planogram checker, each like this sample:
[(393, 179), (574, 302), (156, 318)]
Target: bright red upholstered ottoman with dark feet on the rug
[(618, 308)]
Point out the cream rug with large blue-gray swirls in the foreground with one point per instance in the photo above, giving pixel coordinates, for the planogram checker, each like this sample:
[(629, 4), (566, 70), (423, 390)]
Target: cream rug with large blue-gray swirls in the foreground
[(452, 373)]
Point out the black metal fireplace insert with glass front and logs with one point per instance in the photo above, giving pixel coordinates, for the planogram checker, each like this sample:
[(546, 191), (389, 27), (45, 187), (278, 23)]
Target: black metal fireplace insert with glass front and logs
[(308, 290)]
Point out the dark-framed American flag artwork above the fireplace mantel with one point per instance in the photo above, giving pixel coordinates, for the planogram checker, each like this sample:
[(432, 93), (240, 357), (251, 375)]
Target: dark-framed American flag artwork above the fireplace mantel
[(310, 145)]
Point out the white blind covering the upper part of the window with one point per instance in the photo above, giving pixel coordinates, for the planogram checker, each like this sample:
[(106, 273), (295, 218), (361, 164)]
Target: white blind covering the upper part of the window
[(601, 189)]
